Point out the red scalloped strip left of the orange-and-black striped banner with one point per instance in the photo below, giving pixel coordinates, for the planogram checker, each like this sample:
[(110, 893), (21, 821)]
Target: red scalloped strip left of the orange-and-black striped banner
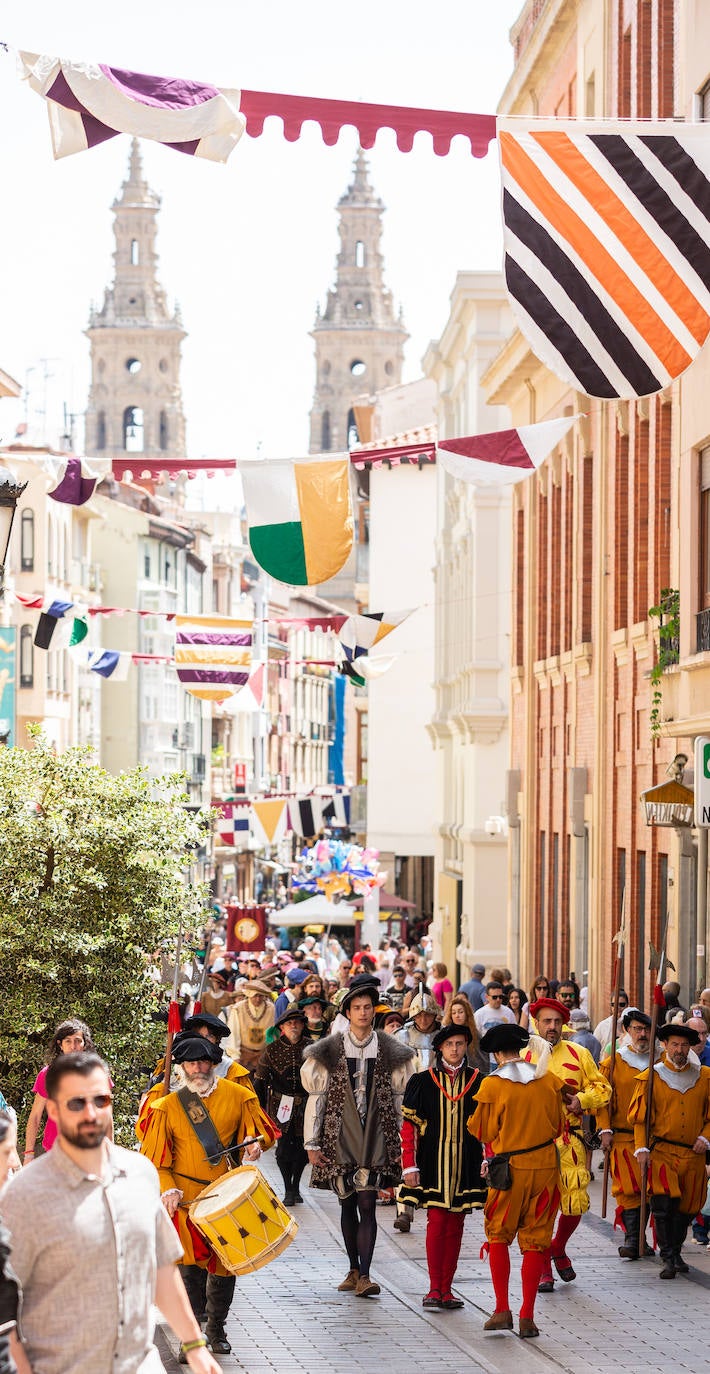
[(333, 116)]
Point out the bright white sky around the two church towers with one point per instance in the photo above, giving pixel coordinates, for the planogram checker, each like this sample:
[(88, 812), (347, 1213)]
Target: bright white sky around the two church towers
[(248, 248)]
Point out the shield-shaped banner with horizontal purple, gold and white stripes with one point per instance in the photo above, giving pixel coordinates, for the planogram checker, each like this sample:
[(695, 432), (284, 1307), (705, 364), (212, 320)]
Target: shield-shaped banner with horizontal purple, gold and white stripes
[(214, 655)]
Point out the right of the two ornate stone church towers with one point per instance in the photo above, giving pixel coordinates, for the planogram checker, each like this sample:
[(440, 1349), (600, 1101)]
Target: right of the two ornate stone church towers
[(359, 339)]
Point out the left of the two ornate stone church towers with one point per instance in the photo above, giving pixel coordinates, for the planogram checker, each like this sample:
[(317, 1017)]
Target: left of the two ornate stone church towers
[(135, 402)]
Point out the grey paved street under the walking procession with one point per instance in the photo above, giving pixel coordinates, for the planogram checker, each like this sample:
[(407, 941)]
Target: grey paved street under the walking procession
[(617, 1317)]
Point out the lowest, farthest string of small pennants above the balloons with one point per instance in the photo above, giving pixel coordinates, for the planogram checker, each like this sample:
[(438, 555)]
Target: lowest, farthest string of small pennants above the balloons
[(270, 818)]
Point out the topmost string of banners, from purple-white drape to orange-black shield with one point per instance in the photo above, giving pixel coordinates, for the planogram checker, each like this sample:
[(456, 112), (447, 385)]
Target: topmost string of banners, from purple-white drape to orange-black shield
[(606, 223)]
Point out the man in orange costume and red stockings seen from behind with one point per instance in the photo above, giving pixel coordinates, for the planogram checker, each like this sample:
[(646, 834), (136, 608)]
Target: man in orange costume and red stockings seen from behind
[(520, 1115)]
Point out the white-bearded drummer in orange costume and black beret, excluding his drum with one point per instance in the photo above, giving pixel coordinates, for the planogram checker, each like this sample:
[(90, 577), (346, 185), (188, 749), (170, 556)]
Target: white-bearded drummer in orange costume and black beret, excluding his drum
[(179, 1145)]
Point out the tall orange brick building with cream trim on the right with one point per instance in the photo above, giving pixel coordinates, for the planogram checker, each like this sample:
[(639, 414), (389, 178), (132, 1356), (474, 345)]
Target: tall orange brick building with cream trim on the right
[(595, 539)]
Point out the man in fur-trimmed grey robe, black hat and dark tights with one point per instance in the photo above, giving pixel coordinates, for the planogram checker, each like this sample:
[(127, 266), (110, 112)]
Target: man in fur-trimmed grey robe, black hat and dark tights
[(356, 1081)]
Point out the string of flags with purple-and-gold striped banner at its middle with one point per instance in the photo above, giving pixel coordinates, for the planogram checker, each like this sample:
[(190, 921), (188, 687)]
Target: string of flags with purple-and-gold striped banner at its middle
[(214, 653)]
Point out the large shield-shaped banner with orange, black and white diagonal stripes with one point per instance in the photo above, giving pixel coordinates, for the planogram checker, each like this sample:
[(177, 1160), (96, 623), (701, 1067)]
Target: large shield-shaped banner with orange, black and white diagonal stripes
[(608, 248)]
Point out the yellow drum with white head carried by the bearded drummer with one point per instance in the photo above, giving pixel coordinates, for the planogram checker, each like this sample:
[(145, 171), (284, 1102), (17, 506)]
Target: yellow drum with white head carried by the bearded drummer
[(244, 1221)]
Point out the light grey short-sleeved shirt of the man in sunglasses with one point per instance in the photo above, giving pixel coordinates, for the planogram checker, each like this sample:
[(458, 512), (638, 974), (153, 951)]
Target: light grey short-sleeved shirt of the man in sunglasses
[(87, 1251)]
